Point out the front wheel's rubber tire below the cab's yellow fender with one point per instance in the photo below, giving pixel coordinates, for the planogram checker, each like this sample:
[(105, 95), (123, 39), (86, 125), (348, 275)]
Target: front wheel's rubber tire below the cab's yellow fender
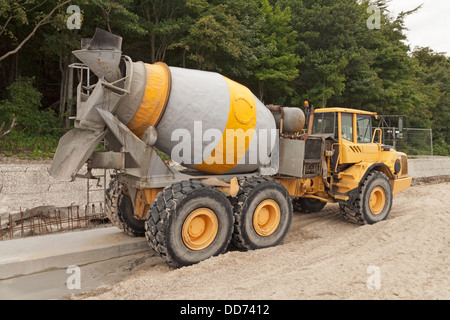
[(360, 212)]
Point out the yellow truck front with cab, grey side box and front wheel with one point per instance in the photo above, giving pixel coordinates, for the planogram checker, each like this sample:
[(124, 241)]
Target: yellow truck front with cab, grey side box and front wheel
[(349, 165)]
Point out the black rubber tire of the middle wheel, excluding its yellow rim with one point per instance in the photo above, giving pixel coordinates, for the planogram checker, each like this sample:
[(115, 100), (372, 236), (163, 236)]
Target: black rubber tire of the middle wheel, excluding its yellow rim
[(252, 193)]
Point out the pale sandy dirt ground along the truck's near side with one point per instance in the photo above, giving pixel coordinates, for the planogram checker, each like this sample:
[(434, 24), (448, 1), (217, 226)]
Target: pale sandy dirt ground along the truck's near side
[(323, 257)]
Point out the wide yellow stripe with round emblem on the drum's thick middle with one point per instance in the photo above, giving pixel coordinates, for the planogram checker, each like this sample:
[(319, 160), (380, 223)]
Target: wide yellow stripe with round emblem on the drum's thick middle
[(238, 133)]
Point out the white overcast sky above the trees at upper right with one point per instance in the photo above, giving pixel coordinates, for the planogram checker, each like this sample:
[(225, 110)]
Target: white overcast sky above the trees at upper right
[(430, 26)]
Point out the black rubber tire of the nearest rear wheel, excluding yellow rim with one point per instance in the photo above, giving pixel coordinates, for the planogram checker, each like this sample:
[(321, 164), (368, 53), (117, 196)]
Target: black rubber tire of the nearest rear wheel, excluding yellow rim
[(170, 210)]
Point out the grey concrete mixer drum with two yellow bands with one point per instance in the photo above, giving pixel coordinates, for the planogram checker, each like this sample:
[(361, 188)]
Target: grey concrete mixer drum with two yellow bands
[(203, 119)]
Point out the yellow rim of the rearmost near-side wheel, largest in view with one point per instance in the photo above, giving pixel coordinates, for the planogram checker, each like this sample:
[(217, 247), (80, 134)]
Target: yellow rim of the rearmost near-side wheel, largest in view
[(200, 229)]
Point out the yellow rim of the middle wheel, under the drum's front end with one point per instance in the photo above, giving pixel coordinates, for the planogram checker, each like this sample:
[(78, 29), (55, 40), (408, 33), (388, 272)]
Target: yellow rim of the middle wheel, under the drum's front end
[(266, 218)]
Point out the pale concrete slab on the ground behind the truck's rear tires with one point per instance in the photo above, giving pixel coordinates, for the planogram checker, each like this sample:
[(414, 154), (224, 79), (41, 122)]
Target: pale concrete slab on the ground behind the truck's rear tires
[(59, 251)]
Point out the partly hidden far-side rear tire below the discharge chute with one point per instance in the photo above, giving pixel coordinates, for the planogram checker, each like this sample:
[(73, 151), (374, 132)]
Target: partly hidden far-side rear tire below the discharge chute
[(119, 210)]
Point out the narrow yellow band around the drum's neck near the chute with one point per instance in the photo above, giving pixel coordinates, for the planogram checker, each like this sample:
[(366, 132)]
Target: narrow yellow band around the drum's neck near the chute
[(155, 99)]
